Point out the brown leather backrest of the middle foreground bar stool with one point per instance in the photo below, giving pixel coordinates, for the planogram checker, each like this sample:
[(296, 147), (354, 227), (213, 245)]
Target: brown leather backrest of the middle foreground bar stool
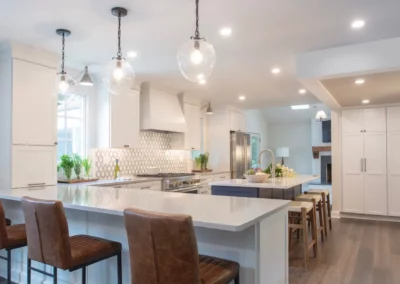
[(47, 232)]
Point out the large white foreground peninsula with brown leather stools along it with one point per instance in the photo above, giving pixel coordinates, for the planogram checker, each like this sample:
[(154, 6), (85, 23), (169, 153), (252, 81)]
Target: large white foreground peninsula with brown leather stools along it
[(252, 232)]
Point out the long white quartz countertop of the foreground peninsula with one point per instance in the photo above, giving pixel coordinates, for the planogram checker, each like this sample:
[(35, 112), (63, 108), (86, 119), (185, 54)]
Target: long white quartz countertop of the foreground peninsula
[(215, 212)]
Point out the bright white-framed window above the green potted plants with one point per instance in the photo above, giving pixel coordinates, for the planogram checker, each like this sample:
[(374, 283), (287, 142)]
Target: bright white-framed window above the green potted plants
[(71, 125)]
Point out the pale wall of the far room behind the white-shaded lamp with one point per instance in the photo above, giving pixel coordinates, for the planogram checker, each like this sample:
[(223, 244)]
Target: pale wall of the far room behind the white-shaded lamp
[(297, 137)]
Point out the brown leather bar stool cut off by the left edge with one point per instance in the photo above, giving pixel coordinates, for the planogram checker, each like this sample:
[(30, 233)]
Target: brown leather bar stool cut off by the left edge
[(11, 237)]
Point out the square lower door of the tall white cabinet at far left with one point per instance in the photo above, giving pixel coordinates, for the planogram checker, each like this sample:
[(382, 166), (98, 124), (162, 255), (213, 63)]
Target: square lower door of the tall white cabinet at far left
[(34, 166)]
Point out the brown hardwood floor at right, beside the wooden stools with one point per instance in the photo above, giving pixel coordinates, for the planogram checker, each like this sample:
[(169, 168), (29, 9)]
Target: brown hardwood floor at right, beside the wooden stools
[(356, 252)]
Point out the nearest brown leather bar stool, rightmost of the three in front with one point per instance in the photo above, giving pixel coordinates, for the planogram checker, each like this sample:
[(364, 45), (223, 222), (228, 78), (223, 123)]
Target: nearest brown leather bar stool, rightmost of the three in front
[(163, 249)]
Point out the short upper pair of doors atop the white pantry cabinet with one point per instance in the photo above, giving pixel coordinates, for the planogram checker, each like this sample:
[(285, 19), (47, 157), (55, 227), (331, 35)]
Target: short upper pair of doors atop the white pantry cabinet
[(364, 120)]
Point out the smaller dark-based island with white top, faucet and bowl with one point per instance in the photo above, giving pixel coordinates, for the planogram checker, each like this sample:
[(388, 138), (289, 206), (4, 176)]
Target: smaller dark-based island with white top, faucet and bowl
[(278, 188)]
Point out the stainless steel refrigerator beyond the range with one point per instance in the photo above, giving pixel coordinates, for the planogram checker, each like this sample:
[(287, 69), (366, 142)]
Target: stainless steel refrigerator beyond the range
[(240, 154)]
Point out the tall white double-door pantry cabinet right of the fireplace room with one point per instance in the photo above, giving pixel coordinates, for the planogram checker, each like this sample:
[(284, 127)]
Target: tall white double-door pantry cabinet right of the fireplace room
[(364, 161)]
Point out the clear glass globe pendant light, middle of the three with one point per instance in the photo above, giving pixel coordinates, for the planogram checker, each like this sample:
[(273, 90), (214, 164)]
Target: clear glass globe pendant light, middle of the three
[(119, 75)]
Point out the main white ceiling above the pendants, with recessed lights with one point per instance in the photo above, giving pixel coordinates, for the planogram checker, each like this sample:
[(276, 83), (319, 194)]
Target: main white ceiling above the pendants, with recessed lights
[(266, 33)]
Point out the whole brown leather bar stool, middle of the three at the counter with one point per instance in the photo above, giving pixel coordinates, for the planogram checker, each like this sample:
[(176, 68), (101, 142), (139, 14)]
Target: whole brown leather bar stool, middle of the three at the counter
[(49, 241)]
